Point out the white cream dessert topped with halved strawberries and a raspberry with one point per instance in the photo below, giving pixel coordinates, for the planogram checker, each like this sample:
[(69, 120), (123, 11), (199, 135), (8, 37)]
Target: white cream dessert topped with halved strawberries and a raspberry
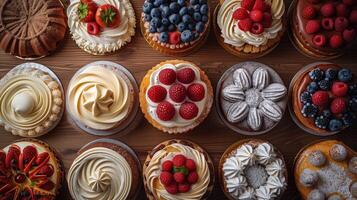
[(101, 26)]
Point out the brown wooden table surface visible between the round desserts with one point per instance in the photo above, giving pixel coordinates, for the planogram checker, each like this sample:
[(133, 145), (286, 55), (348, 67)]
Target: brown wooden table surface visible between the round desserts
[(138, 57)]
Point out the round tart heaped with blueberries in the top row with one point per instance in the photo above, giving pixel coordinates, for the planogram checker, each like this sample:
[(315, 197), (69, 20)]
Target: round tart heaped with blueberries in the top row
[(175, 27)]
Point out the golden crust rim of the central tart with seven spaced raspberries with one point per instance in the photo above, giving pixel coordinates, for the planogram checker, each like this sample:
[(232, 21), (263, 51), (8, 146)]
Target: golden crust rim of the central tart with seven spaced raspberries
[(174, 130)]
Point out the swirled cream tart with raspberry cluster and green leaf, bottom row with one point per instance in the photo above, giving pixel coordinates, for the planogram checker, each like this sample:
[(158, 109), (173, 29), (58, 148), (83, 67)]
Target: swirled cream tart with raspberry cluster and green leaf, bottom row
[(178, 170)]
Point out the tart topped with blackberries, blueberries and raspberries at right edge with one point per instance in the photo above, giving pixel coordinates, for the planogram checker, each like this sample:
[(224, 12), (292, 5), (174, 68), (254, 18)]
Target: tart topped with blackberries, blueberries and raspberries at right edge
[(322, 98)]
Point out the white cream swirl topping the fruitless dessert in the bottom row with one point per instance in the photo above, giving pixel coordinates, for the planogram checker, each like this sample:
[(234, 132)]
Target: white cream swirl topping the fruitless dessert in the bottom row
[(99, 174)]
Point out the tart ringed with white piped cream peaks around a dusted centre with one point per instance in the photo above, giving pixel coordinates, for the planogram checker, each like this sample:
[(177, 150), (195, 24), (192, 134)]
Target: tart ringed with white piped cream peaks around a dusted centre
[(253, 169)]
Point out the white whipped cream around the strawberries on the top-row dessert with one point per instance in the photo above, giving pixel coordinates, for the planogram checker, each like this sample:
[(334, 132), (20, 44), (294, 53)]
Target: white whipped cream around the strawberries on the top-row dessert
[(109, 39)]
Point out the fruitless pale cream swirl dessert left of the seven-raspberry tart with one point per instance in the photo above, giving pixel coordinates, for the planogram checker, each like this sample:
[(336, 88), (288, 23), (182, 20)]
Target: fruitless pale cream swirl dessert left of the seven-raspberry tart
[(102, 98)]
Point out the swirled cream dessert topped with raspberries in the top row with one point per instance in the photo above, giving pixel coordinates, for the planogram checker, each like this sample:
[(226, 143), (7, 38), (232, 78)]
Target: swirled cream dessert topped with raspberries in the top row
[(249, 28)]
